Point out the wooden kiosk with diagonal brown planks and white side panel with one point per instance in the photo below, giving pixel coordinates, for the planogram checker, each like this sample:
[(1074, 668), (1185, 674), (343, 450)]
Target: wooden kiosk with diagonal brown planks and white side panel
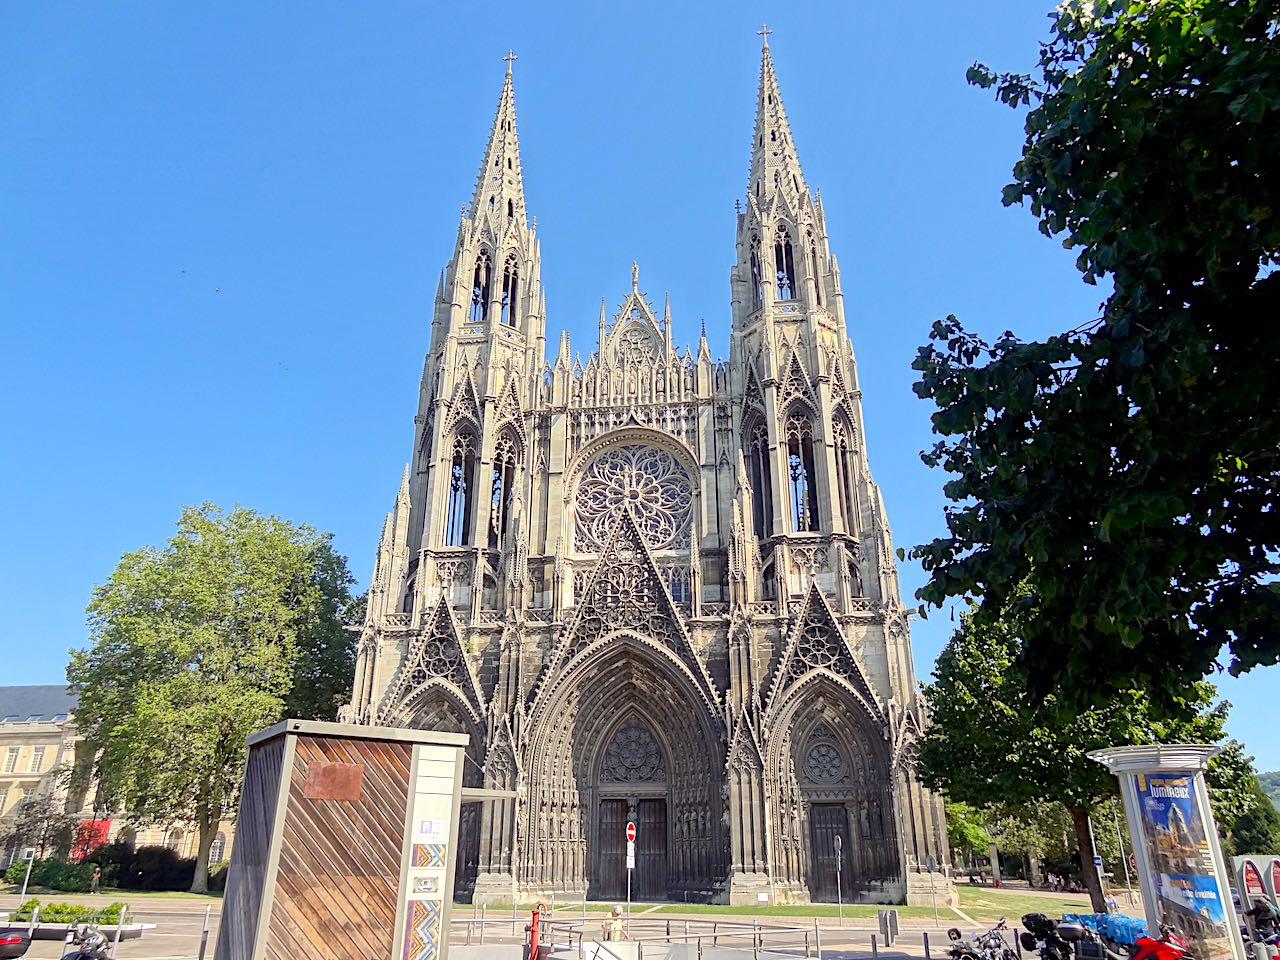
[(345, 845)]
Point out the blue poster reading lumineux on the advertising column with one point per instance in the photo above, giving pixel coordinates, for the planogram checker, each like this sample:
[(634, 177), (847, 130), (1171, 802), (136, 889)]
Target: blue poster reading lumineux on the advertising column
[(1180, 853)]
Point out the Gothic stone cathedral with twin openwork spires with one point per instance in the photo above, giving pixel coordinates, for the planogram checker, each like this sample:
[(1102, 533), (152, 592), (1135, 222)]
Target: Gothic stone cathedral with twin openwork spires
[(652, 586)]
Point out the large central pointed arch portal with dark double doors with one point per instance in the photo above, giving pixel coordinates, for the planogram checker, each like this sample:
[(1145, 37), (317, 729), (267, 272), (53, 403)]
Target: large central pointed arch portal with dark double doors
[(625, 735)]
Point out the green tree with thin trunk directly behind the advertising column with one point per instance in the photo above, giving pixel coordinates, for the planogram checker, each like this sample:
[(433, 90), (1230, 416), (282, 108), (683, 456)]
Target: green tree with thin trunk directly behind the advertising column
[(993, 740)]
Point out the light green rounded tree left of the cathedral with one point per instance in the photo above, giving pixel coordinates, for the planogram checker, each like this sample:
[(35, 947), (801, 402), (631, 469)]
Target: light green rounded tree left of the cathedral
[(198, 646)]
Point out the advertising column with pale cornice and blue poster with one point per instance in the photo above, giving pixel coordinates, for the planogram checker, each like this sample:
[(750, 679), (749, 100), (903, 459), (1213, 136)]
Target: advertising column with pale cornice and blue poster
[(1181, 868)]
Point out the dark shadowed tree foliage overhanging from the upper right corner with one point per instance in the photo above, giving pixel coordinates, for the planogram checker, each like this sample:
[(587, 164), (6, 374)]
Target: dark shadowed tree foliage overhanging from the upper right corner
[(1126, 470)]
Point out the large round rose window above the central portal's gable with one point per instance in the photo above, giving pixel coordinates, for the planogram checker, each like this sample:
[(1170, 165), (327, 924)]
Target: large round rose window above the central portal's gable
[(648, 482)]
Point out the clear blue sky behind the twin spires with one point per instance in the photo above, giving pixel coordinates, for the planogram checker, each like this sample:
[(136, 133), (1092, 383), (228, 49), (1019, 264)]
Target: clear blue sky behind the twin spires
[(221, 227)]
